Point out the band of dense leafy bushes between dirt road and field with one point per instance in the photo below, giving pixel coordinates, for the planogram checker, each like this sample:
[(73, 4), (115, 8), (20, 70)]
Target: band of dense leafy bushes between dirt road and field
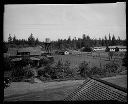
[(64, 69)]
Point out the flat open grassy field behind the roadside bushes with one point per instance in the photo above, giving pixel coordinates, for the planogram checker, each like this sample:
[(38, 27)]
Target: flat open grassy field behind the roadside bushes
[(92, 58)]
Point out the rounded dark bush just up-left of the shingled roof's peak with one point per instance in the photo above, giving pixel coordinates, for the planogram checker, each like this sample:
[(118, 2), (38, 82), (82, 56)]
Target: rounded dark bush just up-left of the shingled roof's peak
[(84, 69)]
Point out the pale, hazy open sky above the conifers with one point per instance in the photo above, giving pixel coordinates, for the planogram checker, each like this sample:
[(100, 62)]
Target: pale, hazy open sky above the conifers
[(59, 21)]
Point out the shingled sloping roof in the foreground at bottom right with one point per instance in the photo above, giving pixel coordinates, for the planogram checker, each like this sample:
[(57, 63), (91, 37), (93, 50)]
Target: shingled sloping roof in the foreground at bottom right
[(95, 90)]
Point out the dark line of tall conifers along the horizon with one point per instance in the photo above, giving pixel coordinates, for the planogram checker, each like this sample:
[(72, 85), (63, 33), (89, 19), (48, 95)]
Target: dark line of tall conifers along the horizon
[(84, 41)]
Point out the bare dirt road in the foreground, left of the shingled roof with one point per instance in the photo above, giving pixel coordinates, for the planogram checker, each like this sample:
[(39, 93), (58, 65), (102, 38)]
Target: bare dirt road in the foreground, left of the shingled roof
[(40, 91)]
